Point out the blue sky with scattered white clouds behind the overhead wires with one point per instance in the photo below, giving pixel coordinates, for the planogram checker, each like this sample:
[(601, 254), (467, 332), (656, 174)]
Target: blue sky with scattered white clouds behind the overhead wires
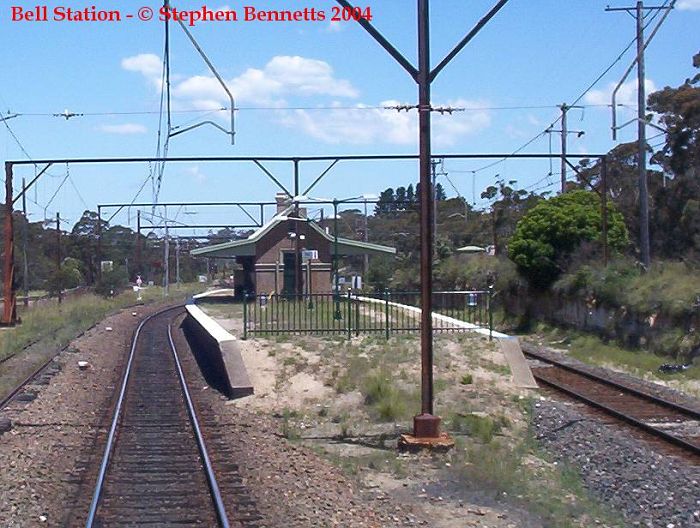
[(315, 88)]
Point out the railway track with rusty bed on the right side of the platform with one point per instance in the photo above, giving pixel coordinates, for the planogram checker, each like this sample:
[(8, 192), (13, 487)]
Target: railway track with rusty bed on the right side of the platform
[(672, 422)]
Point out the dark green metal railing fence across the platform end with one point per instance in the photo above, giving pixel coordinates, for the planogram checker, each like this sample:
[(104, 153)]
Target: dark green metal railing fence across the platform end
[(352, 313)]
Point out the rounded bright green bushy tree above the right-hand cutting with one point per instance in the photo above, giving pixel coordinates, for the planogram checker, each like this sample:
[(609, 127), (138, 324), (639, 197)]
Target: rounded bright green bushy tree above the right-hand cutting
[(554, 228)]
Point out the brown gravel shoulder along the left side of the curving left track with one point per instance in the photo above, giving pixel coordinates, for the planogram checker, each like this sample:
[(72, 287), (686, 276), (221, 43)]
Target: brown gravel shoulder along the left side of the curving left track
[(53, 437)]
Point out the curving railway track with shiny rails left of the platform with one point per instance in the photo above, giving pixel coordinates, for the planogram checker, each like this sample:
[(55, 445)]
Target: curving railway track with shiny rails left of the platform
[(155, 468)]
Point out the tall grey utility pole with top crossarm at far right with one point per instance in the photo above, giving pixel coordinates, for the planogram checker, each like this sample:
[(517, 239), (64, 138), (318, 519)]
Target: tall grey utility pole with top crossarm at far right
[(638, 13)]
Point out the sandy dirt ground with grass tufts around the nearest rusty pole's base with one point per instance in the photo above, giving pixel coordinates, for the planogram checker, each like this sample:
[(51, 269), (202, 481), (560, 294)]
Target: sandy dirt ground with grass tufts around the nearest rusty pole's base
[(317, 388)]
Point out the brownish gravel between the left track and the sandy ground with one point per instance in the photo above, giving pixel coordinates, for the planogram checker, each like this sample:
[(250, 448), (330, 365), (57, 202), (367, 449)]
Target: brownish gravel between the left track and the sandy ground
[(291, 485)]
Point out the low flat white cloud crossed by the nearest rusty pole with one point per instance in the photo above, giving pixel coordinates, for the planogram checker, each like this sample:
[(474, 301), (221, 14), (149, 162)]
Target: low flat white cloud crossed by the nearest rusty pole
[(366, 125)]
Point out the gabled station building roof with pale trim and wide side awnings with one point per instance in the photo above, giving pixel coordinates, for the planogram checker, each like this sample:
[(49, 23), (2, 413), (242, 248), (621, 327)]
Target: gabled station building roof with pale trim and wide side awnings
[(246, 247)]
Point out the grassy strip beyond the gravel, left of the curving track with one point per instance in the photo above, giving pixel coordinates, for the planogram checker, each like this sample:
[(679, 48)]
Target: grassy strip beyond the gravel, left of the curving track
[(46, 328)]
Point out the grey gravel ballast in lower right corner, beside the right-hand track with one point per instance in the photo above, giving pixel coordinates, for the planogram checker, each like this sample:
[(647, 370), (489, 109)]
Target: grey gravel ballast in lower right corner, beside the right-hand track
[(647, 488)]
